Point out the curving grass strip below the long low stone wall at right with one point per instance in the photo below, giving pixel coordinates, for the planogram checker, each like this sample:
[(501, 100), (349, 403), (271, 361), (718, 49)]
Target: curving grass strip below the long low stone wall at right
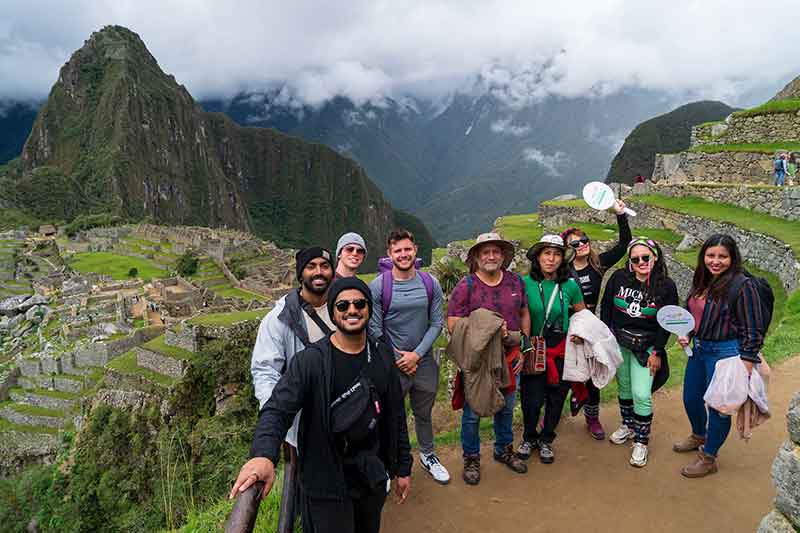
[(782, 229)]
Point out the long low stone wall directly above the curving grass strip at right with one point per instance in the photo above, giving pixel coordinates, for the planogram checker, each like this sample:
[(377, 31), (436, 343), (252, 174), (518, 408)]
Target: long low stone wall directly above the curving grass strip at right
[(783, 202)]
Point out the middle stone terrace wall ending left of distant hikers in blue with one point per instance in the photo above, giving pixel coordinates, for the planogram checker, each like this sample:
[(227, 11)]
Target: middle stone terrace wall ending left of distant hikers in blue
[(722, 167)]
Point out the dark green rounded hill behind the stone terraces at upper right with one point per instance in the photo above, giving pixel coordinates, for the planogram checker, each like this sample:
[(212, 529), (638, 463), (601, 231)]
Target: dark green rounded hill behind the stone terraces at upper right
[(666, 133)]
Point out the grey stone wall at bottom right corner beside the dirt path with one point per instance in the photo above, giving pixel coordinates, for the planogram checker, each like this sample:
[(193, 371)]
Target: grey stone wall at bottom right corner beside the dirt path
[(786, 478)]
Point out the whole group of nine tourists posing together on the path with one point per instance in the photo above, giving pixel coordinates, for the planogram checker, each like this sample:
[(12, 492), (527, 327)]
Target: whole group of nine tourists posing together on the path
[(335, 359)]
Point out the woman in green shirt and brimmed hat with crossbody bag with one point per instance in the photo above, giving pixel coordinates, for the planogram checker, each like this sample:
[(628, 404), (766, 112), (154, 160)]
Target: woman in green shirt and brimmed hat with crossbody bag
[(551, 293)]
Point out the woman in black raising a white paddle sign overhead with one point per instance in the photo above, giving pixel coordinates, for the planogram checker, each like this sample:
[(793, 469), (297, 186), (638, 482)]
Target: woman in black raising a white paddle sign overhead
[(588, 267)]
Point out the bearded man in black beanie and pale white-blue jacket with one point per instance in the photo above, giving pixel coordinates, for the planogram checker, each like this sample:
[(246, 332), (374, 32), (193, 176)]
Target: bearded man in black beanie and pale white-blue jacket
[(297, 320)]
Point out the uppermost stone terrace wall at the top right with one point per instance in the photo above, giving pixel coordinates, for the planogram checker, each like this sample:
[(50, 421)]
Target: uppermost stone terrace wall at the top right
[(774, 127)]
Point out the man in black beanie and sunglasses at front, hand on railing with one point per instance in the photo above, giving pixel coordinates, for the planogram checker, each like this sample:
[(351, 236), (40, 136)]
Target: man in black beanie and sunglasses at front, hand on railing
[(344, 464)]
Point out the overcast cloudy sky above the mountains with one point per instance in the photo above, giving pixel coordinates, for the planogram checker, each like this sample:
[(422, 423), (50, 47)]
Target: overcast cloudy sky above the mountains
[(735, 50)]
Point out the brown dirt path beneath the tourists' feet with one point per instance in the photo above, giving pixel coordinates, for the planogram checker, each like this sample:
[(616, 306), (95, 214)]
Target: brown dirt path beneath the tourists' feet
[(591, 487)]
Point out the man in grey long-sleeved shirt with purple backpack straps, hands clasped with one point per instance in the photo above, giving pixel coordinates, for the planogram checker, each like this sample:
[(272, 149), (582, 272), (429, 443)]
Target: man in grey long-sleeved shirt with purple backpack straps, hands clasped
[(411, 325)]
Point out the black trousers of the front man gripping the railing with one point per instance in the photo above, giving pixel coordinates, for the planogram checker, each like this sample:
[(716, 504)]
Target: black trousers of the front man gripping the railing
[(362, 515)]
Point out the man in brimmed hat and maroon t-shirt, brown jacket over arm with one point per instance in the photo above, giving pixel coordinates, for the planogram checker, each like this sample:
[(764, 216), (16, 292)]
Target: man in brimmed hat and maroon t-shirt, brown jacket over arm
[(491, 286)]
